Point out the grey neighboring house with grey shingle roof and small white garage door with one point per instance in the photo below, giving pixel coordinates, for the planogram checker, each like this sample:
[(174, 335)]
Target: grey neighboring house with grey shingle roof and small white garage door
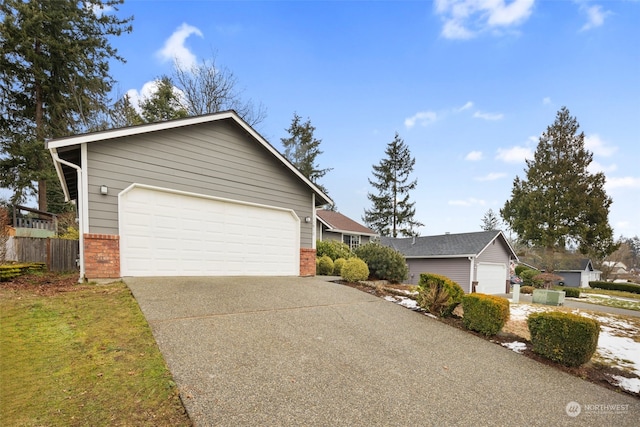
[(478, 262)]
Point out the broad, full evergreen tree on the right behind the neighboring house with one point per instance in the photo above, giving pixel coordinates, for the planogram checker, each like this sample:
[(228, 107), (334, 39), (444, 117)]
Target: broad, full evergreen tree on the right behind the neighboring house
[(560, 202)]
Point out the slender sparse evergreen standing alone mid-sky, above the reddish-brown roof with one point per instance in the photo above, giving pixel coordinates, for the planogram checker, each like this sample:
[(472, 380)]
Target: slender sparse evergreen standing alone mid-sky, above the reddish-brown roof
[(392, 212)]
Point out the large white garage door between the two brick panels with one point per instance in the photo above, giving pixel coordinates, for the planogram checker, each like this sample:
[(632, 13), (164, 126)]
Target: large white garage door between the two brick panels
[(170, 233)]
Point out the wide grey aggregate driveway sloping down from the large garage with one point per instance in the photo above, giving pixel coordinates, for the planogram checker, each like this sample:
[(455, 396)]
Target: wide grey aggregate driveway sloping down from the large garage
[(303, 351)]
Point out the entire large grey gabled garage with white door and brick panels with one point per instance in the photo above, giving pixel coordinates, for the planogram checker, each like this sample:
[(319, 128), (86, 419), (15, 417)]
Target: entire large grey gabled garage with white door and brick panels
[(200, 196)]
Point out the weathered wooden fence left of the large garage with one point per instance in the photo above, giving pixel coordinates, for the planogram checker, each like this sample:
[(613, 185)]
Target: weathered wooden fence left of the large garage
[(57, 254)]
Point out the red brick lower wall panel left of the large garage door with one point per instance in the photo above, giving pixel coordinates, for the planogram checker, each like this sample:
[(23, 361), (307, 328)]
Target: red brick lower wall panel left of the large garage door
[(101, 256)]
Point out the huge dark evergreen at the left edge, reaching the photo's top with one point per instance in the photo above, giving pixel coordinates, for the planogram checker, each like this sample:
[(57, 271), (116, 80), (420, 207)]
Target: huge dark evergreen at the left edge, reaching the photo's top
[(54, 75)]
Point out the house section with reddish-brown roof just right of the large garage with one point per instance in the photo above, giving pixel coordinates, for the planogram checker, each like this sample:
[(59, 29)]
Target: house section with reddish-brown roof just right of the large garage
[(335, 226)]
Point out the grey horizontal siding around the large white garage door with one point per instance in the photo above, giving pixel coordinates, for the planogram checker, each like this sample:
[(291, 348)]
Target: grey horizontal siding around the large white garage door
[(217, 159)]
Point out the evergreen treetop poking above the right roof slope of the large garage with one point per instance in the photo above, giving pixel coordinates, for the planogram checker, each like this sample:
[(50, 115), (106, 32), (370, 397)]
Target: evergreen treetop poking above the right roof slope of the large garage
[(301, 148)]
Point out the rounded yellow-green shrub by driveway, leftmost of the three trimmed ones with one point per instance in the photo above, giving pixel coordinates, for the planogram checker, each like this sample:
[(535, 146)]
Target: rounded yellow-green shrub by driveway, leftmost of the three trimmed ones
[(426, 297)]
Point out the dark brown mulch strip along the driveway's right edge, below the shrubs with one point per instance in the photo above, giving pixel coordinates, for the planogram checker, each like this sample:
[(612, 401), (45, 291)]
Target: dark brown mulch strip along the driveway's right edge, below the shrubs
[(592, 372)]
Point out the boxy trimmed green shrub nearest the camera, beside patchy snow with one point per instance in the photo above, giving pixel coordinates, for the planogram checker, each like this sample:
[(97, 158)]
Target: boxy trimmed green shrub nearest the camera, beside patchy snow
[(565, 338)]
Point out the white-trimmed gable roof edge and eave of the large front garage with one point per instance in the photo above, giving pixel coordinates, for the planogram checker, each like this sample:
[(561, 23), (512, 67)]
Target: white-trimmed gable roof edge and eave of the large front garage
[(68, 144)]
